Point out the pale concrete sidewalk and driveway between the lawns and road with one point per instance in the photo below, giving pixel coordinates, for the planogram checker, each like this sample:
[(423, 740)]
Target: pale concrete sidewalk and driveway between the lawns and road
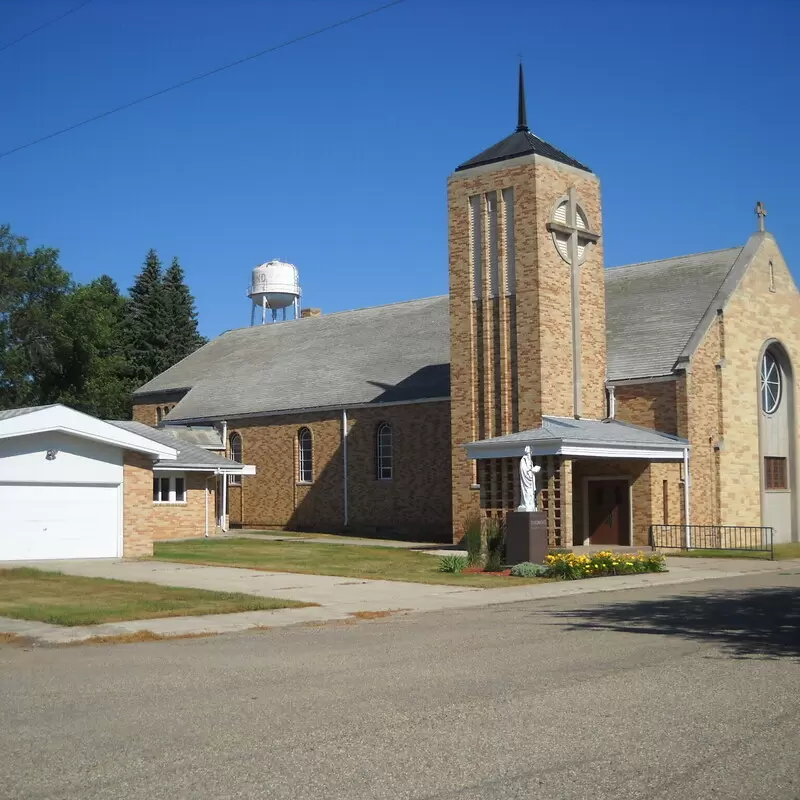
[(338, 598)]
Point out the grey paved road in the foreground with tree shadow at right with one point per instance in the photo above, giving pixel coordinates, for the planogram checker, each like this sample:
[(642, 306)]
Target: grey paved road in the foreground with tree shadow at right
[(674, 692)]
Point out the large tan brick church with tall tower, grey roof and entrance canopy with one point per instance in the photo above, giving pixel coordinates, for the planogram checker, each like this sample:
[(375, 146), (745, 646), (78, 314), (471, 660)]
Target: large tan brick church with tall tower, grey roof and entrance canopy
[(653, 393)]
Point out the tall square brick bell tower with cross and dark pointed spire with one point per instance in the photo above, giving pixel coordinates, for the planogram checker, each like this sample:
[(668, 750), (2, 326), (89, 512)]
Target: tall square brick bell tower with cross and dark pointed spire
[(527, 294)]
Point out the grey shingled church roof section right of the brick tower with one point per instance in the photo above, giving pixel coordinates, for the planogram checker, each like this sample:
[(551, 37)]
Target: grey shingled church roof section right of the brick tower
[(654, 308)]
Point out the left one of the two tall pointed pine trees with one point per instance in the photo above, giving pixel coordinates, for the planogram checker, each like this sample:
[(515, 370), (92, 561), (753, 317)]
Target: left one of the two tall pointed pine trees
[(148, 327)]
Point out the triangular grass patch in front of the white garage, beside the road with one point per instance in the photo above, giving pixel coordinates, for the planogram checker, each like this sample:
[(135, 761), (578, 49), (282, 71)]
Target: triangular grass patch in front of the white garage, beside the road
[(71, 600)]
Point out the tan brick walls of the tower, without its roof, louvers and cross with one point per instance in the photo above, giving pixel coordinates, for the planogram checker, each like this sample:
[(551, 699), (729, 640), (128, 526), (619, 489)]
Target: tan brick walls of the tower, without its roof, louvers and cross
[(522, 336)]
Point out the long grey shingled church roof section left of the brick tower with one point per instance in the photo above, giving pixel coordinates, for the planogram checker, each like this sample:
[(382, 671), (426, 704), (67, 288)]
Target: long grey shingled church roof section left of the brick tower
[(385, 354)]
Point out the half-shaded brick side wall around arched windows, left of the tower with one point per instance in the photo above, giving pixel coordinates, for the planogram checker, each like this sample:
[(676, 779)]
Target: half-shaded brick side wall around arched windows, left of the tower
[(415, 502)]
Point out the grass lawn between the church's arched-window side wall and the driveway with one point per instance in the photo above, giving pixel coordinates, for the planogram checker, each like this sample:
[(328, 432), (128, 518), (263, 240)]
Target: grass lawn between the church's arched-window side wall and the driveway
[(353, 561)]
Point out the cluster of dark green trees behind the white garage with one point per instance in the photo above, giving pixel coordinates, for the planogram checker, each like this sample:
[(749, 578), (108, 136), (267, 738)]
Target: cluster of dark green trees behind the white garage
[(87, 346)]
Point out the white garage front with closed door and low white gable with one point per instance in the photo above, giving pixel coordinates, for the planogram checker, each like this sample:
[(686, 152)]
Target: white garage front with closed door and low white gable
[(61, 483)]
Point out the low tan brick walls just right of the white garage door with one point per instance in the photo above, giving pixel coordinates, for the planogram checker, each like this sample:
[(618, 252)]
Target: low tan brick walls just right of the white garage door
[(145, 521)]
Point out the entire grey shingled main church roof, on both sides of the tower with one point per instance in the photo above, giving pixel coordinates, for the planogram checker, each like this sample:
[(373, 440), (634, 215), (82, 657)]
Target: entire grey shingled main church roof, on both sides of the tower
[(656, 314)]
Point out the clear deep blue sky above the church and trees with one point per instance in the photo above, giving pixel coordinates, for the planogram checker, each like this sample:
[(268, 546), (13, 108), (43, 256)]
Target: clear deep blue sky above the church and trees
[(334, 153)]
